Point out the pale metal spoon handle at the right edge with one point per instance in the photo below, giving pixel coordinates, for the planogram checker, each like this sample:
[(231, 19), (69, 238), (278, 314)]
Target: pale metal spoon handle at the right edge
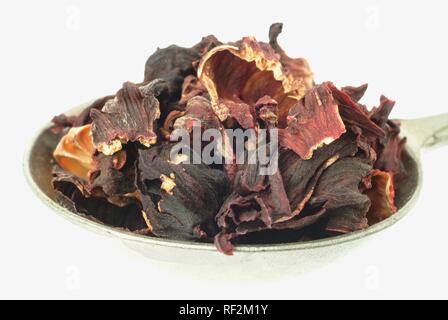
[(427, 133)]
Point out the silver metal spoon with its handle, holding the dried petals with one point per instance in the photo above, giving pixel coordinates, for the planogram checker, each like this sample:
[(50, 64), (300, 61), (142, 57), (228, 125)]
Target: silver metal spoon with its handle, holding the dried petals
[(300, 256)]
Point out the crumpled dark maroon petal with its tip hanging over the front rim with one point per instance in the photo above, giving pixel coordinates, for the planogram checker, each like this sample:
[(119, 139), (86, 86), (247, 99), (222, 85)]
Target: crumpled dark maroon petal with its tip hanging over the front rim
[(256, 203)]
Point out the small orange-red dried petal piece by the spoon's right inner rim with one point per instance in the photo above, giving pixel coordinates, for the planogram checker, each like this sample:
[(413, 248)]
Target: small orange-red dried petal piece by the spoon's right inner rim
[(381, 192)]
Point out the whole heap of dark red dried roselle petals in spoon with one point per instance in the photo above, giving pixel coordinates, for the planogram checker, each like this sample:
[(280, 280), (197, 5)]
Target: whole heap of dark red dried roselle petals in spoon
[(338, 161)]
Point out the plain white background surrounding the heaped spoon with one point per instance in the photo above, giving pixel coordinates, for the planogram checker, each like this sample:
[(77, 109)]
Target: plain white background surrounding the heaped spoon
[(57, 54)]
